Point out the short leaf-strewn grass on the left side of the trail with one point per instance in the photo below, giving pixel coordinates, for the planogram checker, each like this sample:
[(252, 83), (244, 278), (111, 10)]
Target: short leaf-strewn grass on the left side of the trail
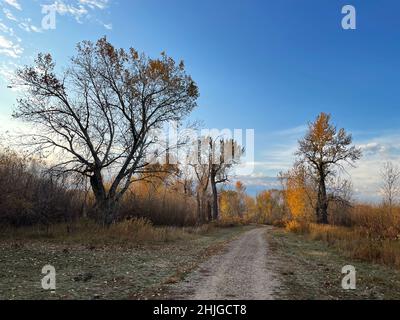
[(106, 271)]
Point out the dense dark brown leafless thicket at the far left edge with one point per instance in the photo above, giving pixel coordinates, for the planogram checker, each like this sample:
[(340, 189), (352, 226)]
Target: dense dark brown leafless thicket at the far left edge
[(29, 196)]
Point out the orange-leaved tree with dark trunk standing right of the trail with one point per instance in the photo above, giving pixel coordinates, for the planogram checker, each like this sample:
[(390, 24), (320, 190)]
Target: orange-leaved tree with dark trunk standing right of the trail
[(325, 149)]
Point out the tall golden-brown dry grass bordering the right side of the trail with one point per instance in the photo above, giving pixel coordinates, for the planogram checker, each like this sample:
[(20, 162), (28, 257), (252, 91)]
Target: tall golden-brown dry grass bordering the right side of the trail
[(374, 234)]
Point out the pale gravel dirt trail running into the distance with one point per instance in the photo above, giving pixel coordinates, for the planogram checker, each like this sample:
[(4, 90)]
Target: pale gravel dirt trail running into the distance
[(244, 271)]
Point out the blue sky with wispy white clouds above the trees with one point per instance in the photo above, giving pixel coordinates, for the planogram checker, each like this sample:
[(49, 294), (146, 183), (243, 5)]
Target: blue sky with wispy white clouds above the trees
[(266, 65)]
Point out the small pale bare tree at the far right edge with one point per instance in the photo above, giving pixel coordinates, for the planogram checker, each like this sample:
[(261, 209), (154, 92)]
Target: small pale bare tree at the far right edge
[(391, 184)]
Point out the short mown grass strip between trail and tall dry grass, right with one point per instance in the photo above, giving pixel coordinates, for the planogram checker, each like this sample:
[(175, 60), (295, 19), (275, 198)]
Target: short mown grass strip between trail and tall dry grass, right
[(310, 269)]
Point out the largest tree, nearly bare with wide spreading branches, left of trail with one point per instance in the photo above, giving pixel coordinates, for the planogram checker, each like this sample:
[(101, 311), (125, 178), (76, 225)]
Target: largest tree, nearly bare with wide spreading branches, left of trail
[(98, 115)]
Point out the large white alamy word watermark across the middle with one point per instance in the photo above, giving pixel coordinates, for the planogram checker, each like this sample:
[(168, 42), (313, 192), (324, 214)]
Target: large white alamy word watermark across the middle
[(197, 147)]
